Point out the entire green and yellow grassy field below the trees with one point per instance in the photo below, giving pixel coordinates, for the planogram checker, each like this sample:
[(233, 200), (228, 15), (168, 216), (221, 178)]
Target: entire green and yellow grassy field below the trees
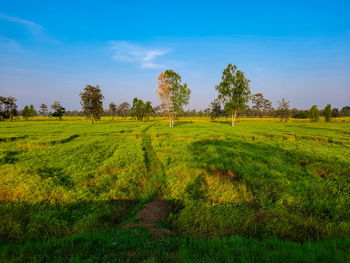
[(263, 191)]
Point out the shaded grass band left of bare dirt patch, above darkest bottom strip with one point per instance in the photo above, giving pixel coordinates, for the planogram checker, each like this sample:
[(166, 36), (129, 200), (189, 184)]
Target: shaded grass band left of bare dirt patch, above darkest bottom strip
[(39, 219)]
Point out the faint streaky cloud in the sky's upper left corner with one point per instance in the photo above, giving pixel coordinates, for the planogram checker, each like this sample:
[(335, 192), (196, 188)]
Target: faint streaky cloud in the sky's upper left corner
[(35, 29)]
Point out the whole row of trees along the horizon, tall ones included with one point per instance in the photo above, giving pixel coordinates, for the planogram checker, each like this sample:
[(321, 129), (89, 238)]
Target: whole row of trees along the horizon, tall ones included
[(233, 97)]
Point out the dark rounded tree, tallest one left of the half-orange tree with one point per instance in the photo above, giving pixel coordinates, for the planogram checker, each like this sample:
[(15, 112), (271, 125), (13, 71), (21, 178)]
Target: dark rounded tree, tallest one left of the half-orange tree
[(91, 99)]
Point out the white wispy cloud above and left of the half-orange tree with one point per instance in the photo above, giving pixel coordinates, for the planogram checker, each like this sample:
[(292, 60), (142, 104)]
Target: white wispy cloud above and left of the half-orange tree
[(133, 53)]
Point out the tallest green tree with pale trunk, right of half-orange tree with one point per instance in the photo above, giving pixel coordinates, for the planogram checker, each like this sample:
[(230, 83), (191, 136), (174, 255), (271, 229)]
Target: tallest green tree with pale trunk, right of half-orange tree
[(234, 91)]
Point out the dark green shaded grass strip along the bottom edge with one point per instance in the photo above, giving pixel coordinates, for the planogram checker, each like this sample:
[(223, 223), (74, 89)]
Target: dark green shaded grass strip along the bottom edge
[(138, 245)]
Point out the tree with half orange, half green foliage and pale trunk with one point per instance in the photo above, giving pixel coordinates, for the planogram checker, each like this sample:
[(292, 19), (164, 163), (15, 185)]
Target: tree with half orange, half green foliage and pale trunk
[(172, 94)]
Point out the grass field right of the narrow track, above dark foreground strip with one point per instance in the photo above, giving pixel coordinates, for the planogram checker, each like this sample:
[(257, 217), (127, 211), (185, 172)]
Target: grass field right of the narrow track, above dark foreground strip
[(255, 181)]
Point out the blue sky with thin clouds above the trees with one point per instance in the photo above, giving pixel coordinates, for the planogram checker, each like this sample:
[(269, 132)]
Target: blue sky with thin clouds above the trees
[(49, 50)]
